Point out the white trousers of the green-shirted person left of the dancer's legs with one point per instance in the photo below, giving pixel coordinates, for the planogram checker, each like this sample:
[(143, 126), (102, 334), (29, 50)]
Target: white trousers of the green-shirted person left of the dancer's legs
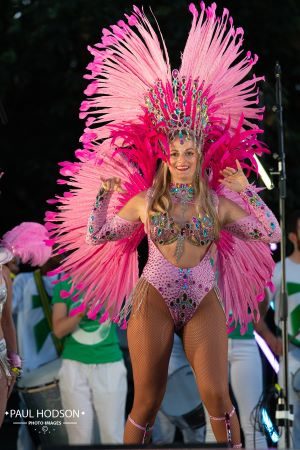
[(99, 392)]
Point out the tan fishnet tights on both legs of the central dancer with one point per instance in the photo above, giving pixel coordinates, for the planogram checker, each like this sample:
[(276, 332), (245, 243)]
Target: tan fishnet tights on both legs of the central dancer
[(150, 338)]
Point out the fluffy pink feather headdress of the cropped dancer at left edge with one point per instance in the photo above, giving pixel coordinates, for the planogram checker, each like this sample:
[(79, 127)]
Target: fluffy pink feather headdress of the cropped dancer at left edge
[(29, 242)]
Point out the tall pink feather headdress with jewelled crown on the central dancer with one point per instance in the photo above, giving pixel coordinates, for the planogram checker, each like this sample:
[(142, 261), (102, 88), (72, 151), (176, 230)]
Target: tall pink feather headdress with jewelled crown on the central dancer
[(130, 71)]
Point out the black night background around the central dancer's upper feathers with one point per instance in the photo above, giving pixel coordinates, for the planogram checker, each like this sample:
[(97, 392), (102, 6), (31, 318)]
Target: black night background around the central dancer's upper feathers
[(43, 57)]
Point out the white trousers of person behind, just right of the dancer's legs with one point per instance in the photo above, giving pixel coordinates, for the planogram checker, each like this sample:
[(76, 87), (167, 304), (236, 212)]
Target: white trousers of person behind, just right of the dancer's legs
[(245, 375)]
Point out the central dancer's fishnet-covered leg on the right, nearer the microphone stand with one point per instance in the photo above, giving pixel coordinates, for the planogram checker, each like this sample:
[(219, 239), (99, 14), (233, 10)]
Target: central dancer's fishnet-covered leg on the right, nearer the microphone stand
[(206, 345)]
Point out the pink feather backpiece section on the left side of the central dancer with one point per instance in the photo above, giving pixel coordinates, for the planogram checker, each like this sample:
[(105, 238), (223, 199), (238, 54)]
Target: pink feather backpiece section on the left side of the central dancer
[(92, 269)]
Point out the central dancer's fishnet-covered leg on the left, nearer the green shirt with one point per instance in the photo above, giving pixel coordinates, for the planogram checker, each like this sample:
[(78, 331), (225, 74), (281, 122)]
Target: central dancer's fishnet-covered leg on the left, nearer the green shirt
[(150, 340)]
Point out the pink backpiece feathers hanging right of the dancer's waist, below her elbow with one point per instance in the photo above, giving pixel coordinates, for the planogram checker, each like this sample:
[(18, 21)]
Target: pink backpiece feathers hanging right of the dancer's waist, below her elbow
[(245, 269)]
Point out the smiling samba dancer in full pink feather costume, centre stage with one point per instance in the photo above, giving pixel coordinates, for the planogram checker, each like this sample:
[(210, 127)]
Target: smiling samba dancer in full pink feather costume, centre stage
[(197, 123)]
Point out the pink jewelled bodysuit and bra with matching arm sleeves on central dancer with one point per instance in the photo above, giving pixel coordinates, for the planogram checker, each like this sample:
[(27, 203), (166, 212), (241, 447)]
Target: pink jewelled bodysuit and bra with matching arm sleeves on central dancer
[(182, 289)]
